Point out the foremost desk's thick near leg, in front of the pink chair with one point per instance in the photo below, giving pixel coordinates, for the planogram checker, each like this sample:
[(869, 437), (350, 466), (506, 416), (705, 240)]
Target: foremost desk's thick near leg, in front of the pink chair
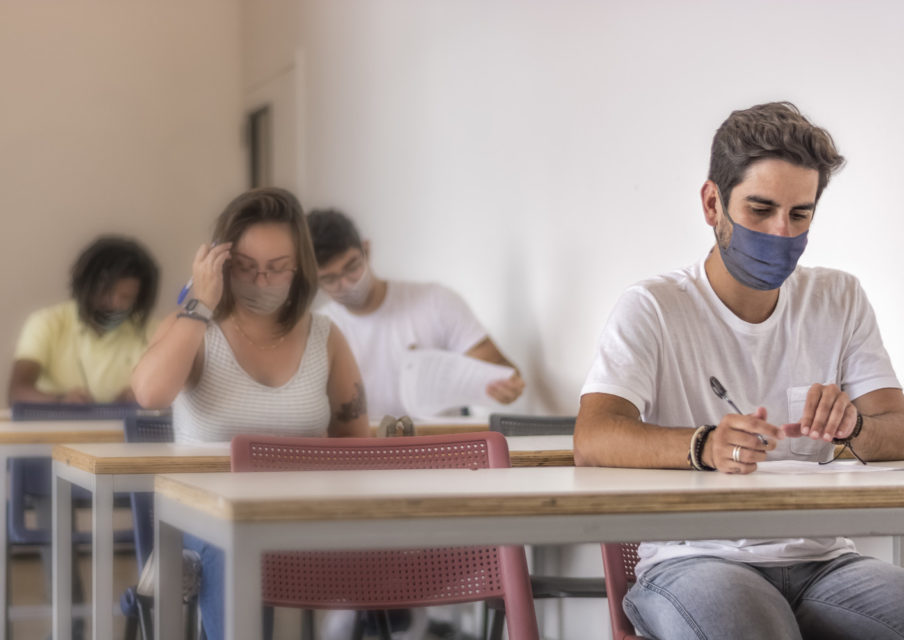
[(243, 586)]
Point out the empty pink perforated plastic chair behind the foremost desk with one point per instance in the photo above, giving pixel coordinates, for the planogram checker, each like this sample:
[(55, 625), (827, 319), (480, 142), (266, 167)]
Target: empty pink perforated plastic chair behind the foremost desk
[(375, 580)]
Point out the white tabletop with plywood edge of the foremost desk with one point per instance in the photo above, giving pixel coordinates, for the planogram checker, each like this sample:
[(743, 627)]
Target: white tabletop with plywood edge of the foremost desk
[(354, 495)]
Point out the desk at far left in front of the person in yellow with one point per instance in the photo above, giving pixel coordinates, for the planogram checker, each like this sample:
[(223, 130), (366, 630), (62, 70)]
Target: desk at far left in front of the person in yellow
[(37, 438)]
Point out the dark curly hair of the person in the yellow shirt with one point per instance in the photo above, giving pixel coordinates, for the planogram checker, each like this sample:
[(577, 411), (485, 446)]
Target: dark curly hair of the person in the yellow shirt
[(106, 261)]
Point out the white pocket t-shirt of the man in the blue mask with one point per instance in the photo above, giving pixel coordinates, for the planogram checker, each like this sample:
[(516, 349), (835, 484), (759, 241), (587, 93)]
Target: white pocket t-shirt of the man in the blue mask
[(669, 334)]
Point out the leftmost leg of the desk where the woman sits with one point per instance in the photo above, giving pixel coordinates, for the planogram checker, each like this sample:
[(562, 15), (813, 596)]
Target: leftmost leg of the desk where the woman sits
[(62, 557)]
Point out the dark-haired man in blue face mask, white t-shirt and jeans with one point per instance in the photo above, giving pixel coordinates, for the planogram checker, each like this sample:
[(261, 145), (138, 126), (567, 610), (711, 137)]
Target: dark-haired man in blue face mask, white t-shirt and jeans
[(799, 347)]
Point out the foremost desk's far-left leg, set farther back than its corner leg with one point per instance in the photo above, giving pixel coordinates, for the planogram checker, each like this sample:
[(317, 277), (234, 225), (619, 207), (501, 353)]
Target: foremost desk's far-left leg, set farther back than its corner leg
[(168, 590)]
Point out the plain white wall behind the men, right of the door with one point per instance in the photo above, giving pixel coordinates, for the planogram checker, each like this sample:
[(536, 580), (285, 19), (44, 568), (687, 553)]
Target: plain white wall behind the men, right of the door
[(541, 156)]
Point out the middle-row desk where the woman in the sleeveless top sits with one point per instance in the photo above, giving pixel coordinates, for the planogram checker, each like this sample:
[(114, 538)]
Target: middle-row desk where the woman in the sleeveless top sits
[(105, 469)]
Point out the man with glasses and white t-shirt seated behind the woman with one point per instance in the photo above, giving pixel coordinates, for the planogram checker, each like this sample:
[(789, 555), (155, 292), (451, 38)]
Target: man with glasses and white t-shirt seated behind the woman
[(381, 319)]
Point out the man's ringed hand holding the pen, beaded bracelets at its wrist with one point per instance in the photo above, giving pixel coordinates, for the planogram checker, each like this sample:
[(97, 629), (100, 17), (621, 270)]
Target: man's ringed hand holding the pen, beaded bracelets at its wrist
[(739, 442)]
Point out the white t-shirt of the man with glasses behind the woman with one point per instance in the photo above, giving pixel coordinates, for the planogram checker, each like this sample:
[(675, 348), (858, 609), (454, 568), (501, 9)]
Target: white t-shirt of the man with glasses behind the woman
[(413, 314)]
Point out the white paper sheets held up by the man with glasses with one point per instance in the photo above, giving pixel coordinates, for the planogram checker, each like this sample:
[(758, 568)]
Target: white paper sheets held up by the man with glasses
[(433, 381)]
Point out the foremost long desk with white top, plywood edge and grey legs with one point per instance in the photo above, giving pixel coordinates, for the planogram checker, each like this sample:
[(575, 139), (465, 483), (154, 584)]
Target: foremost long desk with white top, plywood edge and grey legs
[(247, 514)]
